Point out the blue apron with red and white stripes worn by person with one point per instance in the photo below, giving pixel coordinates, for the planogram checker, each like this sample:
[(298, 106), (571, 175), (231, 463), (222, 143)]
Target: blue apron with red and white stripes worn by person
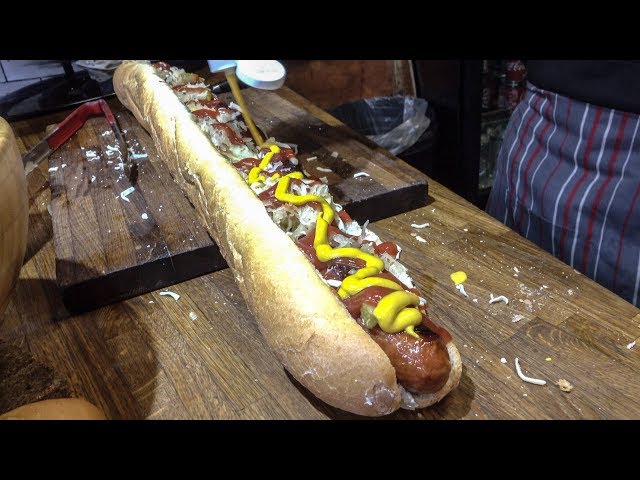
[(568, 179)]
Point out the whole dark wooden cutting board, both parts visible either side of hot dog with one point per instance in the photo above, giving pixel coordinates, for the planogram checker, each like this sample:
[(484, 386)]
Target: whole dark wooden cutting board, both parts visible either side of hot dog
[(109, 248)]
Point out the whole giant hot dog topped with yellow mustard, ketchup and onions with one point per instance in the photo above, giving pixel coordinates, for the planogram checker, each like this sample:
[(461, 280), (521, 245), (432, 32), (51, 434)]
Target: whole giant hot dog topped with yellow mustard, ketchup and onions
[(330, 297)]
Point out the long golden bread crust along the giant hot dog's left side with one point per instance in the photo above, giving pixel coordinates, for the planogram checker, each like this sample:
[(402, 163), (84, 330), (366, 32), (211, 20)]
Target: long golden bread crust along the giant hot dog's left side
[(304, 323)]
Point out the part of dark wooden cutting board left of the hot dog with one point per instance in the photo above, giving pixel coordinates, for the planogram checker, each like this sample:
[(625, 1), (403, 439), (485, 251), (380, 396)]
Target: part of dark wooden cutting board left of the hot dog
[(108, 248)]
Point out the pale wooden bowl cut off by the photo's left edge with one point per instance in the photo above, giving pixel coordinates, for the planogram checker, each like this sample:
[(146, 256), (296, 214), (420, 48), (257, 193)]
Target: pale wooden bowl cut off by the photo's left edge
[(14, 211)]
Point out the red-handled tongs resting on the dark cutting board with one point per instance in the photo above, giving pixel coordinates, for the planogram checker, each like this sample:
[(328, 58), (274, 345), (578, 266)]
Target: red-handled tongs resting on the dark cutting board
[(70, 125)]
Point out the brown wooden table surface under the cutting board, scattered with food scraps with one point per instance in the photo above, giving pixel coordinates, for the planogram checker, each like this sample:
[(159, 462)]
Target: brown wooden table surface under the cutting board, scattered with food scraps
[(151, 357)]
